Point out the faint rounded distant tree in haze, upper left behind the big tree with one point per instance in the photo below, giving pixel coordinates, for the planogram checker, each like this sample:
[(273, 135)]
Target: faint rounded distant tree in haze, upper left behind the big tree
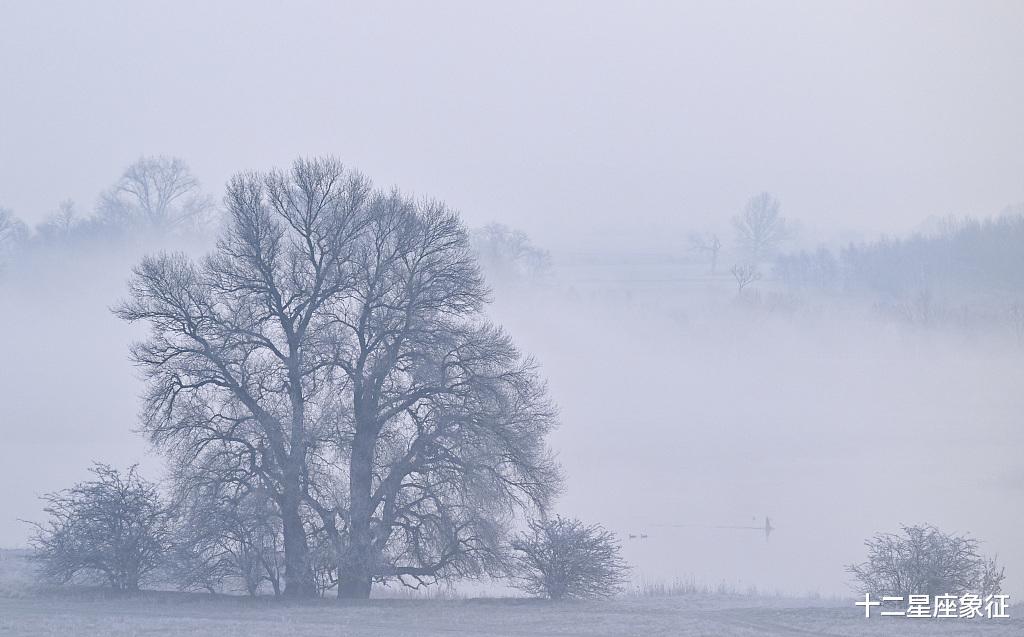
[(157, 195)]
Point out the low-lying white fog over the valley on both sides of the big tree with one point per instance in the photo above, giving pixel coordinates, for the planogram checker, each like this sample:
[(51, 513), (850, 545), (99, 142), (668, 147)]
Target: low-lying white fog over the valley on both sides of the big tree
[(682, 411)]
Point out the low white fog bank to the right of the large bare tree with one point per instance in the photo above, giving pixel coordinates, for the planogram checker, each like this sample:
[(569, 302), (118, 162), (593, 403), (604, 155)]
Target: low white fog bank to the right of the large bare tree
[(832, 427)]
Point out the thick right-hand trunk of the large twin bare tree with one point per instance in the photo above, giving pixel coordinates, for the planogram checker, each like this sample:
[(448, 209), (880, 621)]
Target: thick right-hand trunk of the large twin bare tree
[(356, 574)]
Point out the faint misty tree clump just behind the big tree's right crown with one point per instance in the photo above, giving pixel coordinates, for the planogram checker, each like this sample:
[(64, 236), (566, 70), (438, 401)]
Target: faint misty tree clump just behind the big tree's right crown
[(508, 256)]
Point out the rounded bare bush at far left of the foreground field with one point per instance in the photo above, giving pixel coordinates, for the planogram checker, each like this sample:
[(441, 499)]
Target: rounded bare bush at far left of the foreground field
[(114, 529)]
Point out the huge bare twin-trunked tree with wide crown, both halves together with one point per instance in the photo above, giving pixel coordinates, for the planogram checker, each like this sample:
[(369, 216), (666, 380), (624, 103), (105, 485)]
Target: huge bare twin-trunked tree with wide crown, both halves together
[(333, 354)]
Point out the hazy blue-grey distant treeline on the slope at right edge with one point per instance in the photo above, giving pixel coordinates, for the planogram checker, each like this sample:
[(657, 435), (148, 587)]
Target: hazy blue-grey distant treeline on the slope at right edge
[(962, 261)]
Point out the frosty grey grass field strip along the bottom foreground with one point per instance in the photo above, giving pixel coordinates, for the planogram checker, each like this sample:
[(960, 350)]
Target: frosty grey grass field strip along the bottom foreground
[(698, 615)]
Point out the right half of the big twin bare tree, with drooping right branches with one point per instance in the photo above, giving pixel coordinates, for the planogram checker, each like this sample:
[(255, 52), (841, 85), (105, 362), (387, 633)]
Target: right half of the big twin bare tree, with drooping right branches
[(448, 421)]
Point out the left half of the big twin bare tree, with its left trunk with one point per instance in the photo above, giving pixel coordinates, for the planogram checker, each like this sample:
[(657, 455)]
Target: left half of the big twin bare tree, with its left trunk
[(240, 357)]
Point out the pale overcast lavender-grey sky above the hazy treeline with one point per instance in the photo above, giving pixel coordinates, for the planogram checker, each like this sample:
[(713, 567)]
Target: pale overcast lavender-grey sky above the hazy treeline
[(608, 118)]
